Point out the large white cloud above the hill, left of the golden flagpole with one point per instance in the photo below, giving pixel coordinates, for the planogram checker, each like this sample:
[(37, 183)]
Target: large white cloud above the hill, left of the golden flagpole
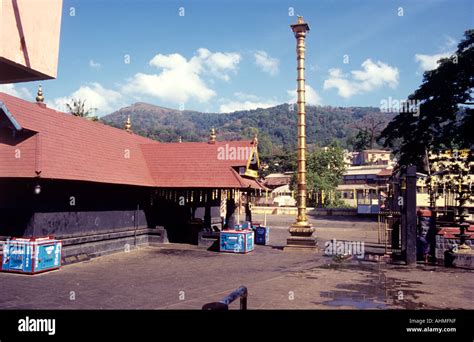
[(180, 79)]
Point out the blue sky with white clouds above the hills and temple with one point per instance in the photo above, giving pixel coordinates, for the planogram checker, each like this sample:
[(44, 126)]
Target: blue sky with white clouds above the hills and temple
[(220, 56)]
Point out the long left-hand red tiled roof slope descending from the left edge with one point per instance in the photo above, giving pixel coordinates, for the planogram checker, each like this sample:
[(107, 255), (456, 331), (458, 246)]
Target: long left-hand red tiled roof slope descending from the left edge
[(73, 148)]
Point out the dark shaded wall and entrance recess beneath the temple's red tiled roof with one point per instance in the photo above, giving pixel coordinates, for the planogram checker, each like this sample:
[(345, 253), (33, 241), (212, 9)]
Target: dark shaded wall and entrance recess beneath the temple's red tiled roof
[(70, 208)]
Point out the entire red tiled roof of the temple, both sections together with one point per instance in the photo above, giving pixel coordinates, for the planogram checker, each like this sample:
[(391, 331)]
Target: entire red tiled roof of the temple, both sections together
[(62, 146)]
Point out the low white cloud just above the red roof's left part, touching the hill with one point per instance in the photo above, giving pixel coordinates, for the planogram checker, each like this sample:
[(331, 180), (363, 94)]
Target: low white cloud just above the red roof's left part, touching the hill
[(95, 96)]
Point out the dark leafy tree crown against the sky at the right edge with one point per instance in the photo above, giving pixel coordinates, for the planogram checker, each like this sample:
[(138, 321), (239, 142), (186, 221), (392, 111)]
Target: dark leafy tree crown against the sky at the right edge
[(443, 119)]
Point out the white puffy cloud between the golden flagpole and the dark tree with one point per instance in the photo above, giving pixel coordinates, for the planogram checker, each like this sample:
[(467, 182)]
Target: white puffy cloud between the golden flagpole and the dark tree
[(371, 77)]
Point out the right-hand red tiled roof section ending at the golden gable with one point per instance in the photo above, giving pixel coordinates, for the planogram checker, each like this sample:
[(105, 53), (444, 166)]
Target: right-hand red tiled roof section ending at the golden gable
[(199, 164)]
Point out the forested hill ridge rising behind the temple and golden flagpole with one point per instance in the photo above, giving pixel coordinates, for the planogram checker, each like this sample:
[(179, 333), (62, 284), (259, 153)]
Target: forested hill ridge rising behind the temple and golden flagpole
[(276, 125)]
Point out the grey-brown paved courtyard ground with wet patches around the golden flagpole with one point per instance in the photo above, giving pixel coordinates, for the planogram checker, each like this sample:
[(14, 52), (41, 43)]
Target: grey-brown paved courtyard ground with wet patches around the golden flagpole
[(178, 276)]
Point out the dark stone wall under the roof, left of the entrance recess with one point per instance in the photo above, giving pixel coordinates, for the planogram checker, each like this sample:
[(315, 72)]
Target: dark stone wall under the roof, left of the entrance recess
[(70, 208)]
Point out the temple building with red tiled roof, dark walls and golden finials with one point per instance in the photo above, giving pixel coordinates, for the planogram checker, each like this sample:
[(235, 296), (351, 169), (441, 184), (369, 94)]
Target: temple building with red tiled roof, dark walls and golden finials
[(97, 187)]
